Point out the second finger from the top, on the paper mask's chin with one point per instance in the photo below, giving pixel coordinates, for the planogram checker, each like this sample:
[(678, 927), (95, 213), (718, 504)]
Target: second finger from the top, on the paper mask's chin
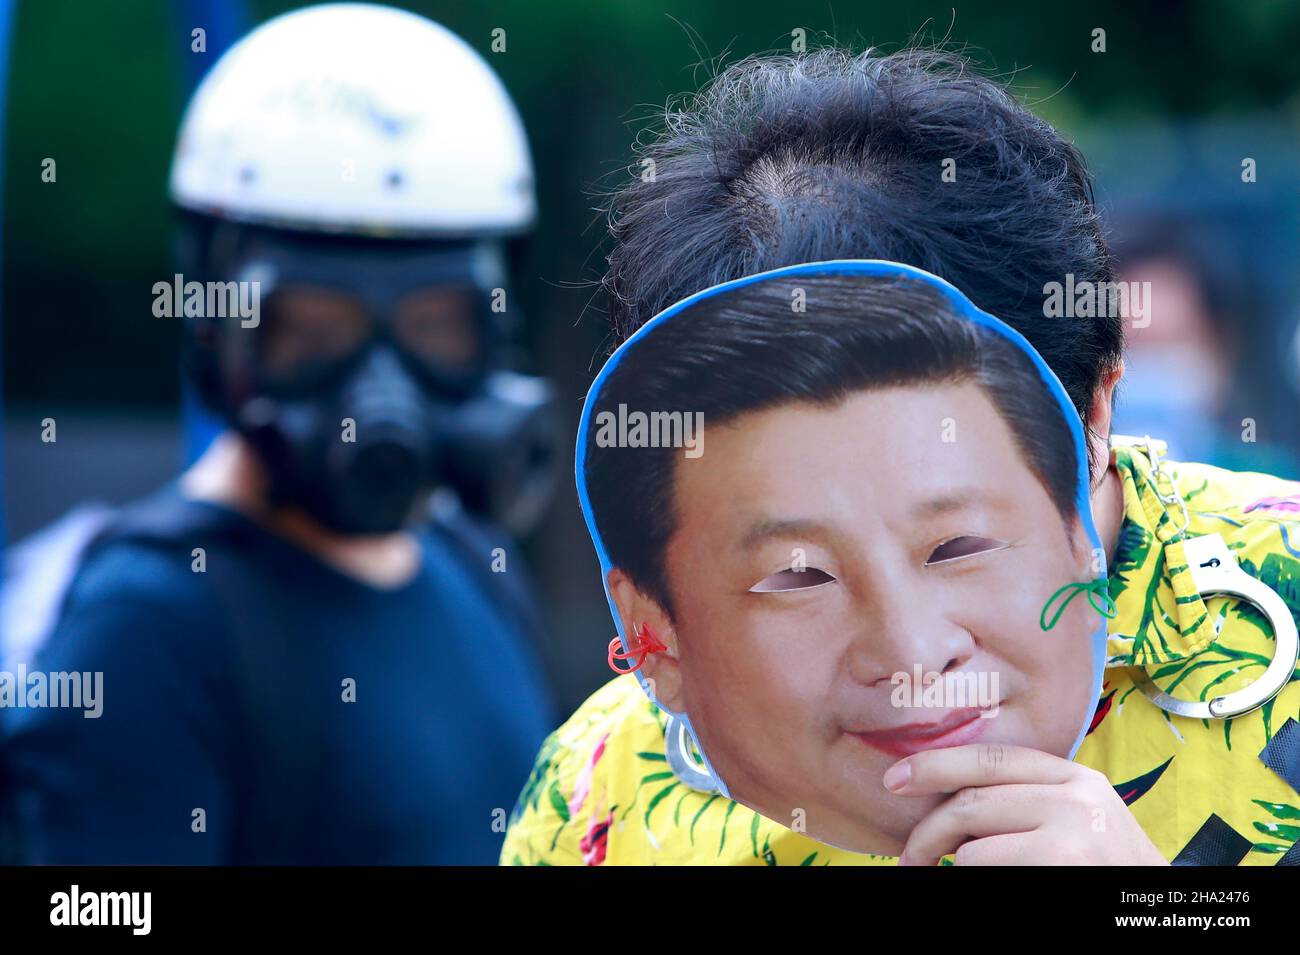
[(973, 814)]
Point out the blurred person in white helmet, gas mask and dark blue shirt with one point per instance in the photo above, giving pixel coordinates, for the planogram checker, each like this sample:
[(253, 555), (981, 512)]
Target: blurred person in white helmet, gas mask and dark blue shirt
[(317, 646)]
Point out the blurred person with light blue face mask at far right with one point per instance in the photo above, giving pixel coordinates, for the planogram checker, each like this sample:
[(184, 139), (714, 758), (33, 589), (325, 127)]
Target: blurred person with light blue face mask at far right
[(1194, 364)]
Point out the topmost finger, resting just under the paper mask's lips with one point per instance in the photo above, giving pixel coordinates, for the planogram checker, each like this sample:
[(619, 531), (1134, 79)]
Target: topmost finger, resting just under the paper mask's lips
[(976, 765)]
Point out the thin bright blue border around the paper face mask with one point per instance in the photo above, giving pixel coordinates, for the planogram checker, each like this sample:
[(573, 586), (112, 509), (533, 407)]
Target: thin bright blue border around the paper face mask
[(847, 267)]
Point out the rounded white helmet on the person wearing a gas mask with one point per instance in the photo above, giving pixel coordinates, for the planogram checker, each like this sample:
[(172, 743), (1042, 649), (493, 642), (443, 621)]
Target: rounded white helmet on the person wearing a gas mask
[(356, 119)]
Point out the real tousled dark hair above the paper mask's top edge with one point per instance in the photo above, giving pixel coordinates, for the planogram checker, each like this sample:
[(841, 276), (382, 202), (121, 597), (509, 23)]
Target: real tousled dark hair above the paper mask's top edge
[(839, 155)]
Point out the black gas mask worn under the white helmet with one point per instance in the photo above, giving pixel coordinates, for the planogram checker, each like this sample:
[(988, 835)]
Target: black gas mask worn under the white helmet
[(378, 372)]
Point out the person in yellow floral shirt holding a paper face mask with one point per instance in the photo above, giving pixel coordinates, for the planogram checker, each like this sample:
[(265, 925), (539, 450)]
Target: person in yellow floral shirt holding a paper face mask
[(785, 168)]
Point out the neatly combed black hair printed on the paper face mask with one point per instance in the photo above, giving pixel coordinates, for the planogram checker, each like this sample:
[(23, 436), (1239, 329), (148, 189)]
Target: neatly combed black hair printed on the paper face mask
[(747, 350)]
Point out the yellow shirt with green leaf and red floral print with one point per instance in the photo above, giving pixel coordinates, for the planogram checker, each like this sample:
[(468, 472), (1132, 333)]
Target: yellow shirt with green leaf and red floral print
[(1207, 792)]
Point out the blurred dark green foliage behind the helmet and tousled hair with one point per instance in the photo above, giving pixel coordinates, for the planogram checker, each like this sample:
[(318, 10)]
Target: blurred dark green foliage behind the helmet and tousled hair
[(97, 86)]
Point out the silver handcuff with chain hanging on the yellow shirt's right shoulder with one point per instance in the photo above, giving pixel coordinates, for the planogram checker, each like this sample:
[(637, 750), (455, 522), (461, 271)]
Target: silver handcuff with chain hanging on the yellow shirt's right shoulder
[(1216, 572)]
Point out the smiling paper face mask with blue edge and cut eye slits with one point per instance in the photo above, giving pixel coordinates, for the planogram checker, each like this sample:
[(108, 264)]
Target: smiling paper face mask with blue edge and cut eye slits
[(831, 503)]
